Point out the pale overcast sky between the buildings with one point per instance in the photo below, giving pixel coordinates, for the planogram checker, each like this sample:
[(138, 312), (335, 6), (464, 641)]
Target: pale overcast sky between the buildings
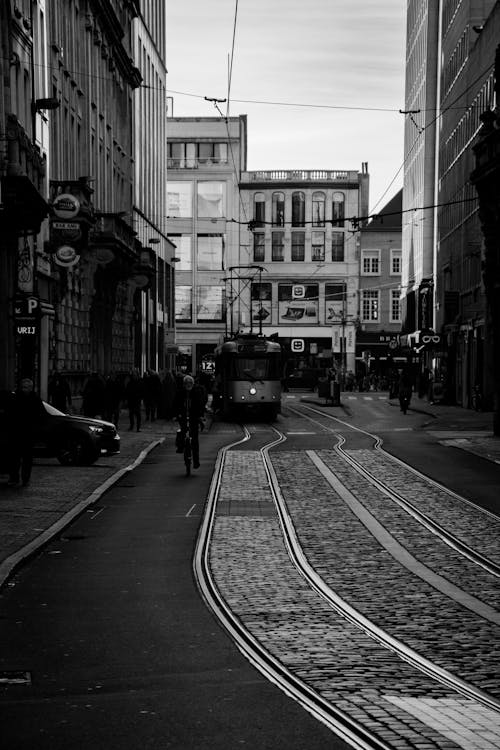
[(327, 53)]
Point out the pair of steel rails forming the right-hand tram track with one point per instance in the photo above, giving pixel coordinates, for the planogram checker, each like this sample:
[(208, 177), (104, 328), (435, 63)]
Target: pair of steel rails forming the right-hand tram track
[(435, 528)]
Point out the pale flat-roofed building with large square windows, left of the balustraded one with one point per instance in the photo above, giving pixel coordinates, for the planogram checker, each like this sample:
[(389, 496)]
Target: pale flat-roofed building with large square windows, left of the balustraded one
[(206, 156)]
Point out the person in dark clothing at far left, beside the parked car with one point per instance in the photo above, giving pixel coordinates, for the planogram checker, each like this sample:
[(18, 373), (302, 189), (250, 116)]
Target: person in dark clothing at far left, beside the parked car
[(25, 415)]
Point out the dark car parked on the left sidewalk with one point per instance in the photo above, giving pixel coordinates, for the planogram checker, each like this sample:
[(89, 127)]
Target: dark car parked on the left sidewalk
[(73, 440)]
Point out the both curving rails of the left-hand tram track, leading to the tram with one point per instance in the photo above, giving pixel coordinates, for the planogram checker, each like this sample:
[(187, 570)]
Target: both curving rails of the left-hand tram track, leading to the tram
[(270, 665)]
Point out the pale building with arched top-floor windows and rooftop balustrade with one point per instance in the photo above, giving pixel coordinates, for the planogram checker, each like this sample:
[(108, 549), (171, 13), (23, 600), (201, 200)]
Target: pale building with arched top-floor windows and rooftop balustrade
[(297, 228)]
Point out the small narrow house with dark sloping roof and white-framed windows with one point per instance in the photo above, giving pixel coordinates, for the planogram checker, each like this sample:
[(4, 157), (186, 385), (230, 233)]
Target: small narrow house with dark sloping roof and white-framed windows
[(377, 345)]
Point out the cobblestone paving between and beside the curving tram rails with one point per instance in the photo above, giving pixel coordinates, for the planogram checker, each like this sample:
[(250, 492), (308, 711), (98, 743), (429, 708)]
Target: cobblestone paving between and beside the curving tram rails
[(342, 663)]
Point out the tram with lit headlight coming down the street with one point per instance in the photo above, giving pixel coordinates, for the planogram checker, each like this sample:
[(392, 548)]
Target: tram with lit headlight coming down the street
[(248, 371)]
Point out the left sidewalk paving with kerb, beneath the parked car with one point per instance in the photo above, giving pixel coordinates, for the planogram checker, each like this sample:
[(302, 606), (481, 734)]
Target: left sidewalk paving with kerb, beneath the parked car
[(30, 516)]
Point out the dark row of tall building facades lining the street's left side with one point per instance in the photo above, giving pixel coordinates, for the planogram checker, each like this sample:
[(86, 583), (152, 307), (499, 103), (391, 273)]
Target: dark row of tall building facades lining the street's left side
[(87, 280)]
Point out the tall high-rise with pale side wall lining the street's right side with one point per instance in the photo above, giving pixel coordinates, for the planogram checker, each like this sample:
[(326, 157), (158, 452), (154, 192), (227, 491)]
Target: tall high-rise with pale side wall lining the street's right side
[(449, 83)]
